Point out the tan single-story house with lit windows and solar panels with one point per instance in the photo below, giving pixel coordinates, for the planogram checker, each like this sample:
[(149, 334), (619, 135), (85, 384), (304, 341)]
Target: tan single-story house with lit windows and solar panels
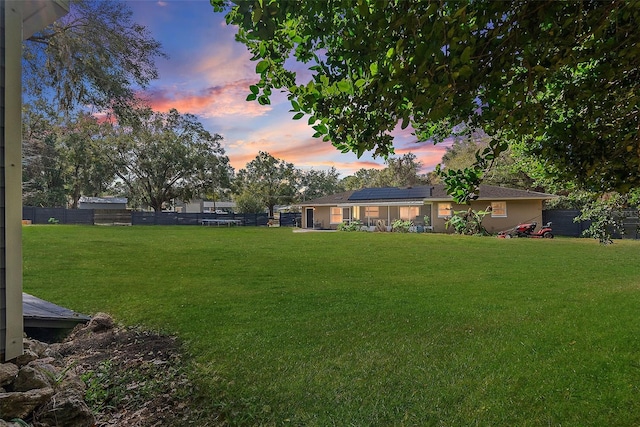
[(425, 205)]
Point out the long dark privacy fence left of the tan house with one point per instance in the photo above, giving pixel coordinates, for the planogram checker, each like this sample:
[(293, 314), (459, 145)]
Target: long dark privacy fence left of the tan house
[(37, 215)]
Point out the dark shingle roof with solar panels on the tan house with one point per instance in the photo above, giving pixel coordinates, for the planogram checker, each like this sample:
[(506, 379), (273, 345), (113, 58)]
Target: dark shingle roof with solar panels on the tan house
[(424, 193)]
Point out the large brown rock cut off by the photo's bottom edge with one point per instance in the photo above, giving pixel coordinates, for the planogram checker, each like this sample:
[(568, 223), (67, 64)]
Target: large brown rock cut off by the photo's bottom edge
[(66, 408)]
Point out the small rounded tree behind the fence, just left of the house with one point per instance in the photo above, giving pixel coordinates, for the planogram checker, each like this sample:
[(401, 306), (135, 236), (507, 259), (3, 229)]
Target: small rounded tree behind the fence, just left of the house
[(271, 180)]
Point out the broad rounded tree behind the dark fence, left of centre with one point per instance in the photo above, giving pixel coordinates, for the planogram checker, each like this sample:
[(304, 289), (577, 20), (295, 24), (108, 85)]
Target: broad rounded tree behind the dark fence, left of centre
[(161, 156)]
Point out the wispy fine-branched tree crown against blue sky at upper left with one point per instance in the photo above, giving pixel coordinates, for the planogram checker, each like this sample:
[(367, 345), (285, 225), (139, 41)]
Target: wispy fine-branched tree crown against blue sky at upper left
[(94, 56)]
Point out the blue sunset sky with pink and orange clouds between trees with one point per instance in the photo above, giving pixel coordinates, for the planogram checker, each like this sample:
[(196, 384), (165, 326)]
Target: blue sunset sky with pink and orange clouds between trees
[(208, 74)]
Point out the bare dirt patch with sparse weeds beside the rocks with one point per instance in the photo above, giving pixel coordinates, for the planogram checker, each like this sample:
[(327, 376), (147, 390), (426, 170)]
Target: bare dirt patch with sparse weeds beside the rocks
[(133, 377)]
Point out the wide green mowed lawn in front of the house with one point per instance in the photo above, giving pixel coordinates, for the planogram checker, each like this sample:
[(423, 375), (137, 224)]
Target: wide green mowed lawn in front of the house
[(369, 329)]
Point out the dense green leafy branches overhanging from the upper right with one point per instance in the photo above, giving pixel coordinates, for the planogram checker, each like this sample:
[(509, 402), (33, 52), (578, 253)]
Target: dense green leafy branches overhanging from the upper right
[(561, 76)]
